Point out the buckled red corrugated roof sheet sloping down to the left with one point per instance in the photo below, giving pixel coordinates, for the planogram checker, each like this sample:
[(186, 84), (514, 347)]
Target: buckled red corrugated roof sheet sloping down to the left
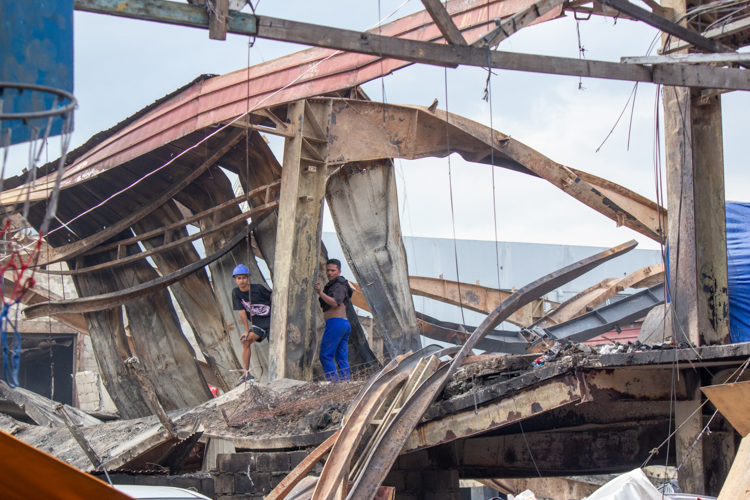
[(269, 84)]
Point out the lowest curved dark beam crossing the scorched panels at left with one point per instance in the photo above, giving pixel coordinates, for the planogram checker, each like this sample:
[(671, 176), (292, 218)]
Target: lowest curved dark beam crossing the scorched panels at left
[(109, 300)]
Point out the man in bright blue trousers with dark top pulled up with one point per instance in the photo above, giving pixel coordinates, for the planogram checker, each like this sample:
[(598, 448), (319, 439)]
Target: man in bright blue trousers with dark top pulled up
[(334, 346)]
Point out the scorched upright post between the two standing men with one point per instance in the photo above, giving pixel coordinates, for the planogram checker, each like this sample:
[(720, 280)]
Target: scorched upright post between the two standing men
[(303, 179)]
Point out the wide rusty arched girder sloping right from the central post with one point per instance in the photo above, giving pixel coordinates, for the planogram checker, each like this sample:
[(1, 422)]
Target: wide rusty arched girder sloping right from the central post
[(359, 133)]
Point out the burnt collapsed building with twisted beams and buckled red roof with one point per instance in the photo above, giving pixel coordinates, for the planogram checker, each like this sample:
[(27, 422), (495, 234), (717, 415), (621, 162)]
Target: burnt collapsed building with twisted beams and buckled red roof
[(419, 419)]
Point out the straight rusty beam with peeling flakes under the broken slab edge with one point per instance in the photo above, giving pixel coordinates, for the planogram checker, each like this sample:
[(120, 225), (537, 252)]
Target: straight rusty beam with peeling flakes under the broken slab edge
[(532, 401)]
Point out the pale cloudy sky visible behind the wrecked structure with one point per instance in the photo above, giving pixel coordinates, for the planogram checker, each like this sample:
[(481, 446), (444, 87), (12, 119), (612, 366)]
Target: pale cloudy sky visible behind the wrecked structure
[(122, 65)]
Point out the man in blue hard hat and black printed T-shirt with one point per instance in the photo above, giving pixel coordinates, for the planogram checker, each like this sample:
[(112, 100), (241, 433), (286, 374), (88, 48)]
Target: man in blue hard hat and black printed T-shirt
[(253, 305)]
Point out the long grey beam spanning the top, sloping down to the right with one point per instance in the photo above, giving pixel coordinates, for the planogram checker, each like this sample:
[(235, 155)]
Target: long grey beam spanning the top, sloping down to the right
[(421, 52)]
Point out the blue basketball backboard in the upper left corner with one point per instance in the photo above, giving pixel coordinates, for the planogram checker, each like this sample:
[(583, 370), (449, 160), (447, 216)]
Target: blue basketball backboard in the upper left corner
[(36, 46)]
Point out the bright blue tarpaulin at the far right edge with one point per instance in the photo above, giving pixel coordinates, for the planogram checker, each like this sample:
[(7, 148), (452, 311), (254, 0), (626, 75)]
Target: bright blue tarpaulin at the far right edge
[(738, 267)]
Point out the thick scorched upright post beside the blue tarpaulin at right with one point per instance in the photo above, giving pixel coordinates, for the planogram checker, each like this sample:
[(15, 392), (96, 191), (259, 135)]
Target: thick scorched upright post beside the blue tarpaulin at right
[(697, 219)]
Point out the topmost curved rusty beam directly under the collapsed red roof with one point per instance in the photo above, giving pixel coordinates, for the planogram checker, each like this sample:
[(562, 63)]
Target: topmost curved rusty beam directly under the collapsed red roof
[(75, 249)]
